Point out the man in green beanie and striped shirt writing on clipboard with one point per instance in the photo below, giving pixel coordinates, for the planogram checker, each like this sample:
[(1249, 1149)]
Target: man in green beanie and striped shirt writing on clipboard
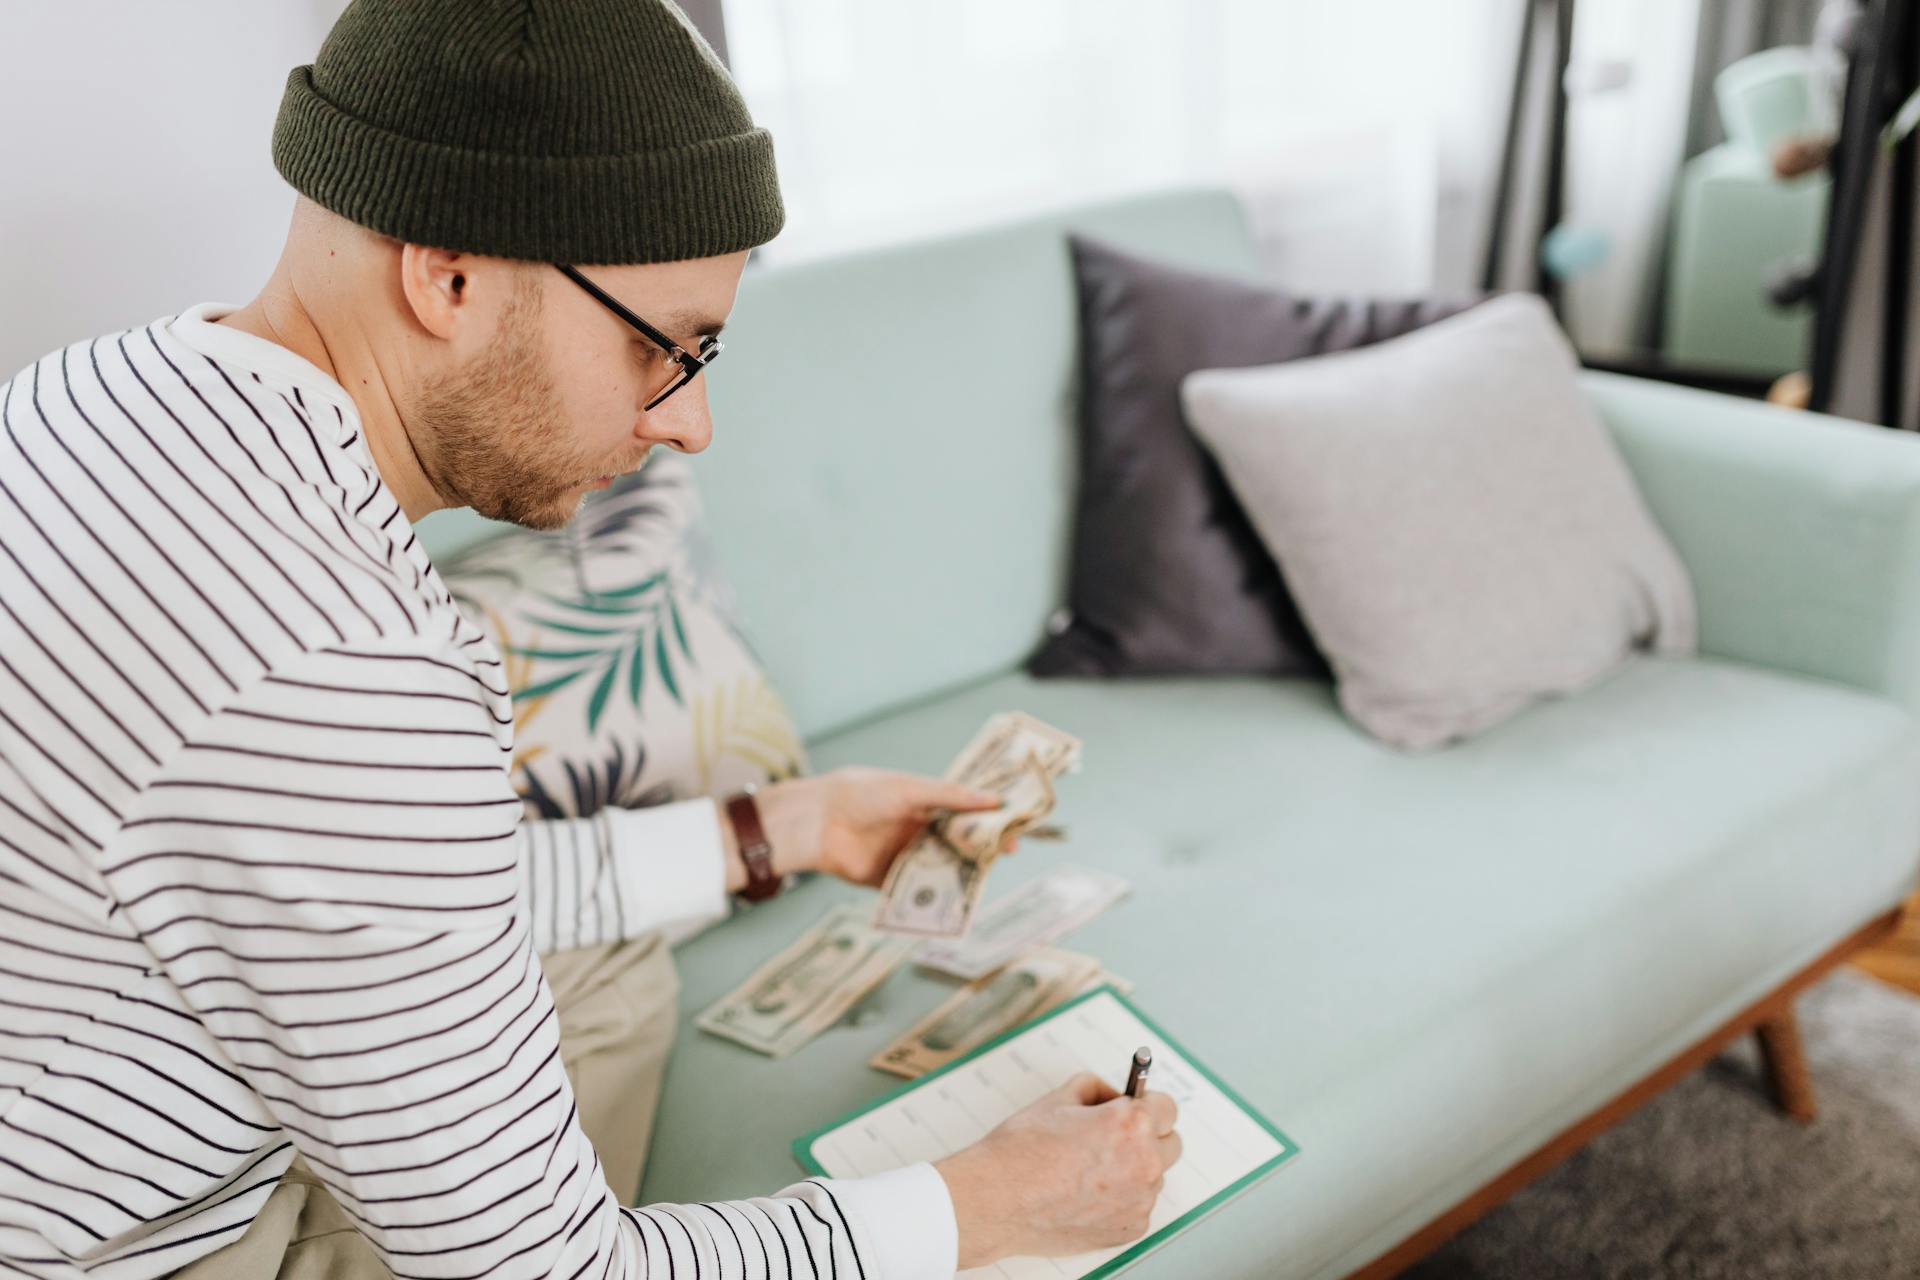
[(279, 960)]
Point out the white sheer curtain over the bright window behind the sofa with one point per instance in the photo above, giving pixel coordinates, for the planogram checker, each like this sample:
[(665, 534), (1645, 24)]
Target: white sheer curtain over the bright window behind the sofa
[(1360, 133)]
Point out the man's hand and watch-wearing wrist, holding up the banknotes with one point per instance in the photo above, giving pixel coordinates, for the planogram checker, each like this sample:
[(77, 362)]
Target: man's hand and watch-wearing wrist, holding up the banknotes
[(852, 822)]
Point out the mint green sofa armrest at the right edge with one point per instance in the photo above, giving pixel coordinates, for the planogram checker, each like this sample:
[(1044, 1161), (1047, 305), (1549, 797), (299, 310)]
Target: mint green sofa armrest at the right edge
[(1802, 533)]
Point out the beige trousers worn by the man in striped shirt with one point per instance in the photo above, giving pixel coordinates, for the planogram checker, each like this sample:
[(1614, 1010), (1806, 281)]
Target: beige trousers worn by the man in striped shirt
[(617, 1024)]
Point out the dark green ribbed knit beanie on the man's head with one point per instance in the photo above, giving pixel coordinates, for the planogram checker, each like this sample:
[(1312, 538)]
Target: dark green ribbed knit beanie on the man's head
[(565, 131)]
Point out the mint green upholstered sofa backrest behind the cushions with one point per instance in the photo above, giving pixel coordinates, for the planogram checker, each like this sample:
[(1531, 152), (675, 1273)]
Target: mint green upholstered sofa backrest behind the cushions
[(894, 465)]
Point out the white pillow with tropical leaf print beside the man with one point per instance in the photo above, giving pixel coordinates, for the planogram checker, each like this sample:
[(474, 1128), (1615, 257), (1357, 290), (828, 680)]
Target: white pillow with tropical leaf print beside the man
[(631, 682)]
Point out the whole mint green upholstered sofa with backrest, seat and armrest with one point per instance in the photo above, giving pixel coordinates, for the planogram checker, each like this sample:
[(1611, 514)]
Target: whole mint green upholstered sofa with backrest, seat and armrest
[(1424, 968)]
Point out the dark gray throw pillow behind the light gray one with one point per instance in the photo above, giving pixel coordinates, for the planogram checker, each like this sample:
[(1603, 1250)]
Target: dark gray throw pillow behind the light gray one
[(1166, 573)]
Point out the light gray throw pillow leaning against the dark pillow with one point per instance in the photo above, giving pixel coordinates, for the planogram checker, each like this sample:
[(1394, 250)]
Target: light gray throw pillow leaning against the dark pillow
[(1452, 517)]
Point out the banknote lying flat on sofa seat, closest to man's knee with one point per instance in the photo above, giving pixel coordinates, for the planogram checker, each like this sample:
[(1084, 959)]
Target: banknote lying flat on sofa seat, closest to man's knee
[(807, 987)]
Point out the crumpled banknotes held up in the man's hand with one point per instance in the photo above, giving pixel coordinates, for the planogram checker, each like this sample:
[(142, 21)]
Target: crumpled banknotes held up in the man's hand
[(934, 888)]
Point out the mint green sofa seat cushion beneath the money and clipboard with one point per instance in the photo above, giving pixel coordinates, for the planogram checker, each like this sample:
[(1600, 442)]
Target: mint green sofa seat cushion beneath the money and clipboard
[(1420, 966)]
